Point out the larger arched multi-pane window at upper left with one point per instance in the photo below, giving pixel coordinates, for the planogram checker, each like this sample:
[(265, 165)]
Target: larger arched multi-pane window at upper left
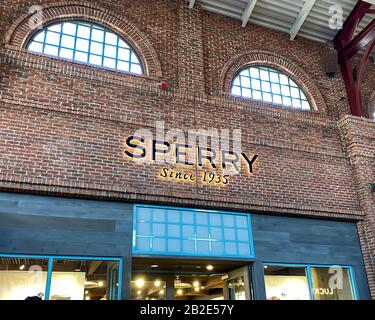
[(88, 43)]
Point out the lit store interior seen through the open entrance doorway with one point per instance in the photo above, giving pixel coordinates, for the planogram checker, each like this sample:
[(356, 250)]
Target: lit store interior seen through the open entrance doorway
[(183, 279)]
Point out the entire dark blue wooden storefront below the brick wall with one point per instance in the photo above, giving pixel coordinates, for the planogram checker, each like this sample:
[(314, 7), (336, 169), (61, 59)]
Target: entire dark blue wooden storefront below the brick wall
[(71, 249)]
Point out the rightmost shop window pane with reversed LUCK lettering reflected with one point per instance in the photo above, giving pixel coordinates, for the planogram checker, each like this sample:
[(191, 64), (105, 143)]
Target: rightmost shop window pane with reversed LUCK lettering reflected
[(331, 283)]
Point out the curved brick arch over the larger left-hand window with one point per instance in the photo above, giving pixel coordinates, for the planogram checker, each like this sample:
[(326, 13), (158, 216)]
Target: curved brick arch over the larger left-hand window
[(19, 34)]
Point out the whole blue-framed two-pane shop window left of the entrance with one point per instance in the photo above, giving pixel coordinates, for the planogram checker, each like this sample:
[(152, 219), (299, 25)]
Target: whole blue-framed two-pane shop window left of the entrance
[(59, 278)]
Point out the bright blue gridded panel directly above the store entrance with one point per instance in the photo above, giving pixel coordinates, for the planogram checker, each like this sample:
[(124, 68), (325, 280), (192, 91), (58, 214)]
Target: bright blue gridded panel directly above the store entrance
[(191, 232)]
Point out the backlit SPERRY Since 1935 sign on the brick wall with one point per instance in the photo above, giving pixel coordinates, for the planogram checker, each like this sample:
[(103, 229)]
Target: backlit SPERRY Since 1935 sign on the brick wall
[(211, 150)]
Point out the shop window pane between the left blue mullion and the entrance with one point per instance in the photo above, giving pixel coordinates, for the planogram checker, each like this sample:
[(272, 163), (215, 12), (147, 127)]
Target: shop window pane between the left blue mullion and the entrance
[(84, 280)]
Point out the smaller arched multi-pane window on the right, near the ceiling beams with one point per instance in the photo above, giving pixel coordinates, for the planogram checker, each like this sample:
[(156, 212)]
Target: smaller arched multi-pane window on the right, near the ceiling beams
[(269, 85)]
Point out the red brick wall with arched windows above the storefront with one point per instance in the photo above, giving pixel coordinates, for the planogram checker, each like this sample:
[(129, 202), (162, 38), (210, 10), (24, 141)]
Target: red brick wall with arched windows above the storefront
[(63, 125)]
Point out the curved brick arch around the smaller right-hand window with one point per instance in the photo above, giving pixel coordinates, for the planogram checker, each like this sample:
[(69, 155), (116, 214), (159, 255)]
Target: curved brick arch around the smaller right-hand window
[(256, 58)]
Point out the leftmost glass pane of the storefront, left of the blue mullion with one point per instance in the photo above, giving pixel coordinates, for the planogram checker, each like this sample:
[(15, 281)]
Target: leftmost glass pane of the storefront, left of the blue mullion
[(21, 278)]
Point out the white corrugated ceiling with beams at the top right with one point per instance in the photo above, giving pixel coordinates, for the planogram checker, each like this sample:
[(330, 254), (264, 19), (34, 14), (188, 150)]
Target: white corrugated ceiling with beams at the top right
[(305, 18)]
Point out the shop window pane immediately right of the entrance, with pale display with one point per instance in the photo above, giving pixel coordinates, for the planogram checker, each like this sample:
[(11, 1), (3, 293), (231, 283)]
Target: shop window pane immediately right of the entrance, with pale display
[(286, 283)]
